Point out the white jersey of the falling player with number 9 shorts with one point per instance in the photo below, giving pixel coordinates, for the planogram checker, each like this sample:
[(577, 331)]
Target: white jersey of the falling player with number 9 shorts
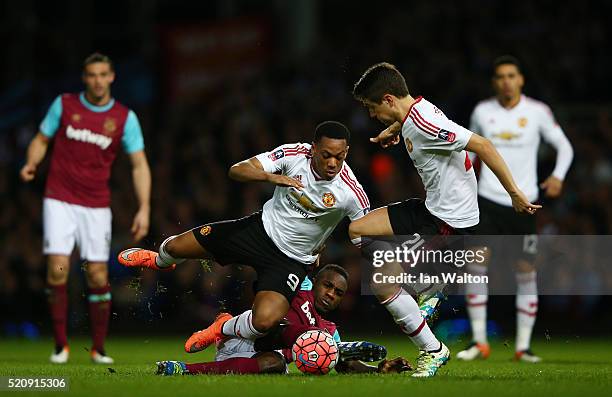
[(299, 222)]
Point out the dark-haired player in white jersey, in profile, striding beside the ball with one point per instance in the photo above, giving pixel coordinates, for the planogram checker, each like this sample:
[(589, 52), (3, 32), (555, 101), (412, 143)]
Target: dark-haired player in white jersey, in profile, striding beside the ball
[(437, 147)]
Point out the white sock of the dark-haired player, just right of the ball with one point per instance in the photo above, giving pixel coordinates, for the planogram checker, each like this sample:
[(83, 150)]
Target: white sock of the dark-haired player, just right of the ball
[(407, 315)]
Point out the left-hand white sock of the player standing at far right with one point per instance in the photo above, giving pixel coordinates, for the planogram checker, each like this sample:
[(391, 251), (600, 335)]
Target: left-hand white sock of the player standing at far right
[(476, 298)]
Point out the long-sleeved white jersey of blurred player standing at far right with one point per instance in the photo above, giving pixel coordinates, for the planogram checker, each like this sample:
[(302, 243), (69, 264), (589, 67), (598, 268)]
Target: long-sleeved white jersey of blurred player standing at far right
[(516, 134)]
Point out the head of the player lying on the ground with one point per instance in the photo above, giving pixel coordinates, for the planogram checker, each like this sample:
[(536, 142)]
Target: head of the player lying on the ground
[(329, 287)]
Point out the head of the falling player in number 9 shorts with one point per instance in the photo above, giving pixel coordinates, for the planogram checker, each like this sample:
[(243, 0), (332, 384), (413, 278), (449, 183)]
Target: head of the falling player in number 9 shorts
[(329, 148)]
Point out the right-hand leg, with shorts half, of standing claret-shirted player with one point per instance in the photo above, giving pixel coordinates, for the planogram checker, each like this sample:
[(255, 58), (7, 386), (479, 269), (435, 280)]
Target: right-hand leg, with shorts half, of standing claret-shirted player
[(94, 230)]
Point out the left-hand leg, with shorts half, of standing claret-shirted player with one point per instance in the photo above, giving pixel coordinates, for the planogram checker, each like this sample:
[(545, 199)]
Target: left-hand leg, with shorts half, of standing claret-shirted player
[(59, 235)]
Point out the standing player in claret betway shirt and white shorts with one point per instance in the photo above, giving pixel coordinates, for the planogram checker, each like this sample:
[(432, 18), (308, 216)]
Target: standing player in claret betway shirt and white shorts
[(87, 130)]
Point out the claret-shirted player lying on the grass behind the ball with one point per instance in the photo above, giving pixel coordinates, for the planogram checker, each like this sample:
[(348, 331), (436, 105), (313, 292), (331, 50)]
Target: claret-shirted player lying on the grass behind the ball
[(272, 353)]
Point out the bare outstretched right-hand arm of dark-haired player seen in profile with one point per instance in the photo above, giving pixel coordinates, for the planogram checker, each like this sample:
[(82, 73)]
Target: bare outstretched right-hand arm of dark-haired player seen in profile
[(485, 150)]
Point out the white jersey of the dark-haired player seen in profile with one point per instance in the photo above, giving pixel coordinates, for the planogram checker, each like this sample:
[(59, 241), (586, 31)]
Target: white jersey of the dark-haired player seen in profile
[(436, 146)]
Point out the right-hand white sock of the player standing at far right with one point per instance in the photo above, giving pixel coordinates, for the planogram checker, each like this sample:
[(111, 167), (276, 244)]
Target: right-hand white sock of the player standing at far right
[(526, 308)]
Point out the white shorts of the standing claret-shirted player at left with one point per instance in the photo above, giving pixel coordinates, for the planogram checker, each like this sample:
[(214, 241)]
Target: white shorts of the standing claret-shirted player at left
[(65, 224)]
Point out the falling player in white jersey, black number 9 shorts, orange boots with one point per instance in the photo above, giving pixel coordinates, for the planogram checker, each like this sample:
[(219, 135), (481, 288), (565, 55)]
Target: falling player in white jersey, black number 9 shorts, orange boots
[(315, 190)]
